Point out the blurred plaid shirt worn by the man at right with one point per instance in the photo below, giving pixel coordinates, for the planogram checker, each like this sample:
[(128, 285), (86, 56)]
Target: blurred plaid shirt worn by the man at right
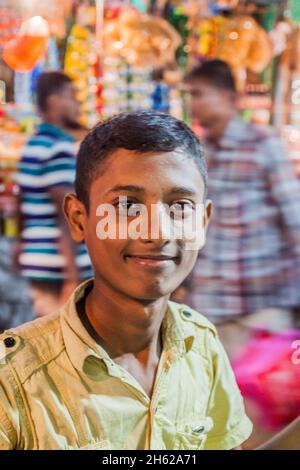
[(251, 257)]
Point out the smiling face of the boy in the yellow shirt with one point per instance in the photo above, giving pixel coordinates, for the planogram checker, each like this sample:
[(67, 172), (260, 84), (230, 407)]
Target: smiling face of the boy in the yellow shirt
[(145, 268)]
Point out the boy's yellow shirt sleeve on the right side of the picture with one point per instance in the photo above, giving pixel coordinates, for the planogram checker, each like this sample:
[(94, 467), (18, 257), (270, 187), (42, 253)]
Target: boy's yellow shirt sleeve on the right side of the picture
[(231, 426)]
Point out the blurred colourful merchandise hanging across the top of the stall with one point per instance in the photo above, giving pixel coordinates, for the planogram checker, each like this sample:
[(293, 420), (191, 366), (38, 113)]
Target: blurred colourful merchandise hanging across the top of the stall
[(114, 50)]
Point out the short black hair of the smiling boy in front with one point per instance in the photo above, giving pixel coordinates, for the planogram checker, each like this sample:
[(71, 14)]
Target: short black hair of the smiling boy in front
[(143, 132)]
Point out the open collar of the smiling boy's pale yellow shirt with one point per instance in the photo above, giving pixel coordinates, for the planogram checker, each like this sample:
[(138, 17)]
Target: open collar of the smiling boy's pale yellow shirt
[(178, 335)]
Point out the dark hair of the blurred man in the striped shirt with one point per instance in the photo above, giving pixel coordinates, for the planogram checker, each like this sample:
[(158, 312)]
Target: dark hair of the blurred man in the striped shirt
[(49, 83)]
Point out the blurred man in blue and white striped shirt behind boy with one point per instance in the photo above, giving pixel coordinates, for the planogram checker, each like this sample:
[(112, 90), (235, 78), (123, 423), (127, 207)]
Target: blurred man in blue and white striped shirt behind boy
[(48, 257)]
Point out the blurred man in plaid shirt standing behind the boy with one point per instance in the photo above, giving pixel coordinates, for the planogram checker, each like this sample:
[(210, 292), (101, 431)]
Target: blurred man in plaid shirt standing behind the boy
[(251, 260)]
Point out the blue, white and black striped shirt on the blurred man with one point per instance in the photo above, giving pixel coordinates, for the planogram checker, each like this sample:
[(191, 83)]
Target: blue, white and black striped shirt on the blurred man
[(48, 161)]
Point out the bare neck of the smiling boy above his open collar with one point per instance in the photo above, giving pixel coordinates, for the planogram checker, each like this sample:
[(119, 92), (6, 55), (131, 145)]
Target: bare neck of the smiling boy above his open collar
[(126, 325)]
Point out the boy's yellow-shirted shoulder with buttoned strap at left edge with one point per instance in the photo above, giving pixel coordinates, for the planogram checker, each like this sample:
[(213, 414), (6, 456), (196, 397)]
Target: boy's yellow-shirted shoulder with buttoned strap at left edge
[(31, 345)]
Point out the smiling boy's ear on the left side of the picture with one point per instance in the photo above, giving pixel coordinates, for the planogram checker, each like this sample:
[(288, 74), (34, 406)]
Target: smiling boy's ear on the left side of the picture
[(75, 214)]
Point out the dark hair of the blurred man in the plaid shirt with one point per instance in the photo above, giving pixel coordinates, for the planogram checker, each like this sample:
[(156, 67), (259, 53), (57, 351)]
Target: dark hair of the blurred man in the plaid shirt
[(215, 72)]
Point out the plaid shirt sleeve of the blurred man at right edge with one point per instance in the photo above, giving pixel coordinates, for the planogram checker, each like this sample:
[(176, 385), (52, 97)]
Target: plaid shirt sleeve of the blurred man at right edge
[(284, 188)]
